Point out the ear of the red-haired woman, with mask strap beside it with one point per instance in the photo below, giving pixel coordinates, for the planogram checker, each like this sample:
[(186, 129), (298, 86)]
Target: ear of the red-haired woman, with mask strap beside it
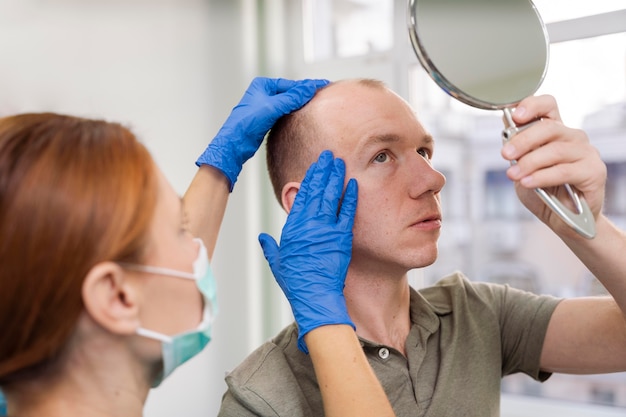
[(111, 299)]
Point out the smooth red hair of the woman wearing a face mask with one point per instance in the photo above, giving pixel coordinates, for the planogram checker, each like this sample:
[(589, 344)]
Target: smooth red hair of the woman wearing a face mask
[(73, 192)]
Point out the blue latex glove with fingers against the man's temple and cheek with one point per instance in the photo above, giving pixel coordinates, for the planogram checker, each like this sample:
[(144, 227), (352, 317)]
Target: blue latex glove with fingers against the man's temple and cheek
[(315, 247)]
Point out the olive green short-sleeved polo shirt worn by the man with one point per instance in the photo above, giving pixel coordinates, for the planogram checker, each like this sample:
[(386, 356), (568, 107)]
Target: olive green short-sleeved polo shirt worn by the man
[(464, 338)]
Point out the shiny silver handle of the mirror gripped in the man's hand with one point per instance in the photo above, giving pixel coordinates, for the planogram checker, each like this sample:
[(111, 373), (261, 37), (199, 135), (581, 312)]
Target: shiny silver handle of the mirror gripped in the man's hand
[(582, 220)]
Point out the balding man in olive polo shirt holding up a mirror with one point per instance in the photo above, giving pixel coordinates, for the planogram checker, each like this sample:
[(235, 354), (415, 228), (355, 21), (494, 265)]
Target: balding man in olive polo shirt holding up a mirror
[(442, 350)]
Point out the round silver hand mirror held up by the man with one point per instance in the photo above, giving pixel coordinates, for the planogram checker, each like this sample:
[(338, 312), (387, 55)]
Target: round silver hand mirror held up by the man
[(490, 54)]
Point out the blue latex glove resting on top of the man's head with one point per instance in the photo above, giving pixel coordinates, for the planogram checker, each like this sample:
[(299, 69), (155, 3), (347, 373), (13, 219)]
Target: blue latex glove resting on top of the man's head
[(263, 103)]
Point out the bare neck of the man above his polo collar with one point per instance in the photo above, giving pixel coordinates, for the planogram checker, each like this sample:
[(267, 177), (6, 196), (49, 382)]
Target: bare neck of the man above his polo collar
[(380, 309)]
